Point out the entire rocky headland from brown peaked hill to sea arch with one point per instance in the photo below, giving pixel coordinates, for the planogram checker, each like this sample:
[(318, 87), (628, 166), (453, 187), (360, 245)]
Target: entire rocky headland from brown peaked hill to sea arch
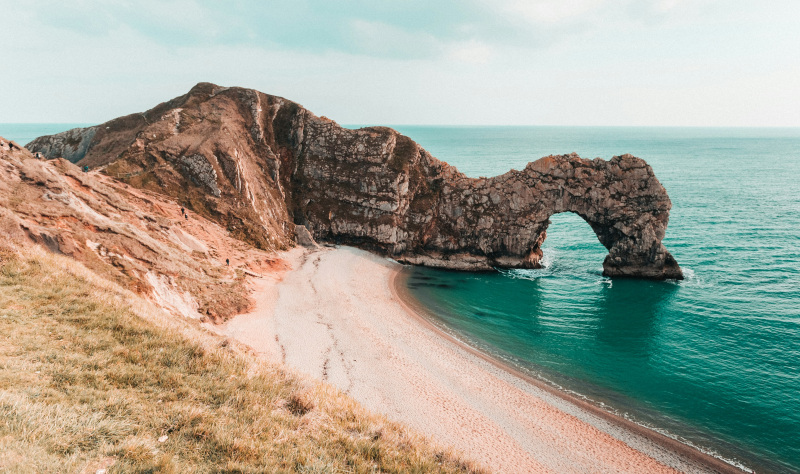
[(259, 164)]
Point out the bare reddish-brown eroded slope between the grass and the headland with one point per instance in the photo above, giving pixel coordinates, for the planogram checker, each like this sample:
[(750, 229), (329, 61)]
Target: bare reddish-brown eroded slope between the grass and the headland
[(133, 237)]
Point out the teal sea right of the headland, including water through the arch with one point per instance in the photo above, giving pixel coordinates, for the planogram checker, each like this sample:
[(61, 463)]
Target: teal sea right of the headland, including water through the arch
[(714, 359)]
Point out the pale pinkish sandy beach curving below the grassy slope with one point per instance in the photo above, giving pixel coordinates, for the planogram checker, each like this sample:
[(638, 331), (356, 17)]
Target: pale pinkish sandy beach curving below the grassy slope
[(337, 316)]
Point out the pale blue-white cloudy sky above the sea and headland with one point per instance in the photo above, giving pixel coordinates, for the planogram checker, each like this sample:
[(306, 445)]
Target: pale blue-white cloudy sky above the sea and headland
[(448, 62)]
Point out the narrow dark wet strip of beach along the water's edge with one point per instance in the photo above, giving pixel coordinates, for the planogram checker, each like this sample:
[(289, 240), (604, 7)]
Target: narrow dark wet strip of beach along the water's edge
[(421, 313)]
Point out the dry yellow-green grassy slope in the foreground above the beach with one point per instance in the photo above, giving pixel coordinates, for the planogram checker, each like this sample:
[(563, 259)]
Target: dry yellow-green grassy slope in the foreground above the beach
[(92, 377)]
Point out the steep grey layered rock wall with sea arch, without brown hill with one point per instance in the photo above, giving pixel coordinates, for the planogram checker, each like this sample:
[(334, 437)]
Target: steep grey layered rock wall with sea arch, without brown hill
[(377, 189)]
